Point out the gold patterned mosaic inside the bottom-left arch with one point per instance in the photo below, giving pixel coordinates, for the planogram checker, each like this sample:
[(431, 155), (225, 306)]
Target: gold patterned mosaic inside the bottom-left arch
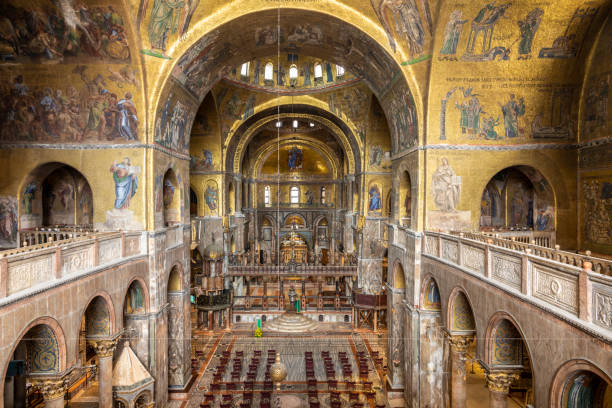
[(43, 351)]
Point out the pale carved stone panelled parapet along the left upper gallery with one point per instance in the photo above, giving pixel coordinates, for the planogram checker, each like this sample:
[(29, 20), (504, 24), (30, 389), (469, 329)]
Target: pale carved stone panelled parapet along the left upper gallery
[(37, 266)]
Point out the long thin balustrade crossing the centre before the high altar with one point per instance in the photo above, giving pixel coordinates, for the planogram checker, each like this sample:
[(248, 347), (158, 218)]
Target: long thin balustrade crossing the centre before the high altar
[(287, 270)]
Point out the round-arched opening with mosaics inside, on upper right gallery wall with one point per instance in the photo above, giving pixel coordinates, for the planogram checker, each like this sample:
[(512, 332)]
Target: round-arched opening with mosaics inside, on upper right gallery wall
[(519, 198)]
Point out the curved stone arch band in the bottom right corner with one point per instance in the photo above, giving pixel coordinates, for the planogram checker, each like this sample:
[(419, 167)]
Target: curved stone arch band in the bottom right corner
[(567, 373)]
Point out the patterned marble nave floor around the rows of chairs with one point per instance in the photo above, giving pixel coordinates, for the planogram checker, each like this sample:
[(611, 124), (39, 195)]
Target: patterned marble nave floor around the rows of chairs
[(208, 350)]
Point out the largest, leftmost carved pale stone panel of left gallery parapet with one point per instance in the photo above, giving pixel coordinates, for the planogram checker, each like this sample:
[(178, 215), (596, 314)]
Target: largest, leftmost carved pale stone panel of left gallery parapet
[(30, 272)]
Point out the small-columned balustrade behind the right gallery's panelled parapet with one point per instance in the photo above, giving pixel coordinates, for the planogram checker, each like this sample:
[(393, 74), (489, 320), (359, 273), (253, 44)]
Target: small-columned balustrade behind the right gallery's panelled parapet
[(600, 265)]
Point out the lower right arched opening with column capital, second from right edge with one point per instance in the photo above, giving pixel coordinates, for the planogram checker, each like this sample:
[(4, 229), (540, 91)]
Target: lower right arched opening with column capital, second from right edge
[(509, 371)]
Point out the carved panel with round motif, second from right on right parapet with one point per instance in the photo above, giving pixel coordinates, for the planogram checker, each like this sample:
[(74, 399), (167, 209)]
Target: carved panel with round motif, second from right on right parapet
[(555, 288)]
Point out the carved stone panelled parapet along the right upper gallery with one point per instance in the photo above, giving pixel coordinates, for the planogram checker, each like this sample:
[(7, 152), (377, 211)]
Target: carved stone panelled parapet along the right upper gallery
[(563, 288)]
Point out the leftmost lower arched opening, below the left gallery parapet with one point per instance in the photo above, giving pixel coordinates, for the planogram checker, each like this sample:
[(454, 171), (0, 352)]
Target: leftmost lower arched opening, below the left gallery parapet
[(37, 353)]
